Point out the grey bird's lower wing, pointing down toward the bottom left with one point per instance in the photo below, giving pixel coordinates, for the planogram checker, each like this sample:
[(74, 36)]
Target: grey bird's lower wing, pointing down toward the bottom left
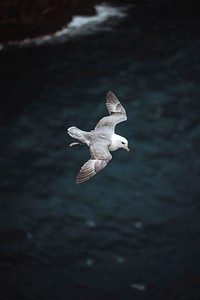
[(100, 156)]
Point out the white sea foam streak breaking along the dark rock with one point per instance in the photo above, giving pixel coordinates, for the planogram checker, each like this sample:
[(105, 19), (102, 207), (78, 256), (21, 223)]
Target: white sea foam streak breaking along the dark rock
[(105, 18)]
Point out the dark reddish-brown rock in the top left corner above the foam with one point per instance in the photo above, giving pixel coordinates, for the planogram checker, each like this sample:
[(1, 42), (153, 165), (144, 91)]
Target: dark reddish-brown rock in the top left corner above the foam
[(20, 19)]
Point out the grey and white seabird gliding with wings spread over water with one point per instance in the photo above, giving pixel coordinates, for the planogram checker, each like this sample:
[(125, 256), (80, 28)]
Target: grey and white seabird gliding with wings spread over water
[(101, 140)]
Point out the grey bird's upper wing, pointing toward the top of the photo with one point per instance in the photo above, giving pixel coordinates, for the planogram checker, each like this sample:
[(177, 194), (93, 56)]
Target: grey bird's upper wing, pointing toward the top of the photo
[(116, 111)]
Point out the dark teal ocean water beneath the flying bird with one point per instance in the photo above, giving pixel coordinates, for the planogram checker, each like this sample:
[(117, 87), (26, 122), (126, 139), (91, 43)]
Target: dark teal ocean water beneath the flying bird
[(132, 231)]
